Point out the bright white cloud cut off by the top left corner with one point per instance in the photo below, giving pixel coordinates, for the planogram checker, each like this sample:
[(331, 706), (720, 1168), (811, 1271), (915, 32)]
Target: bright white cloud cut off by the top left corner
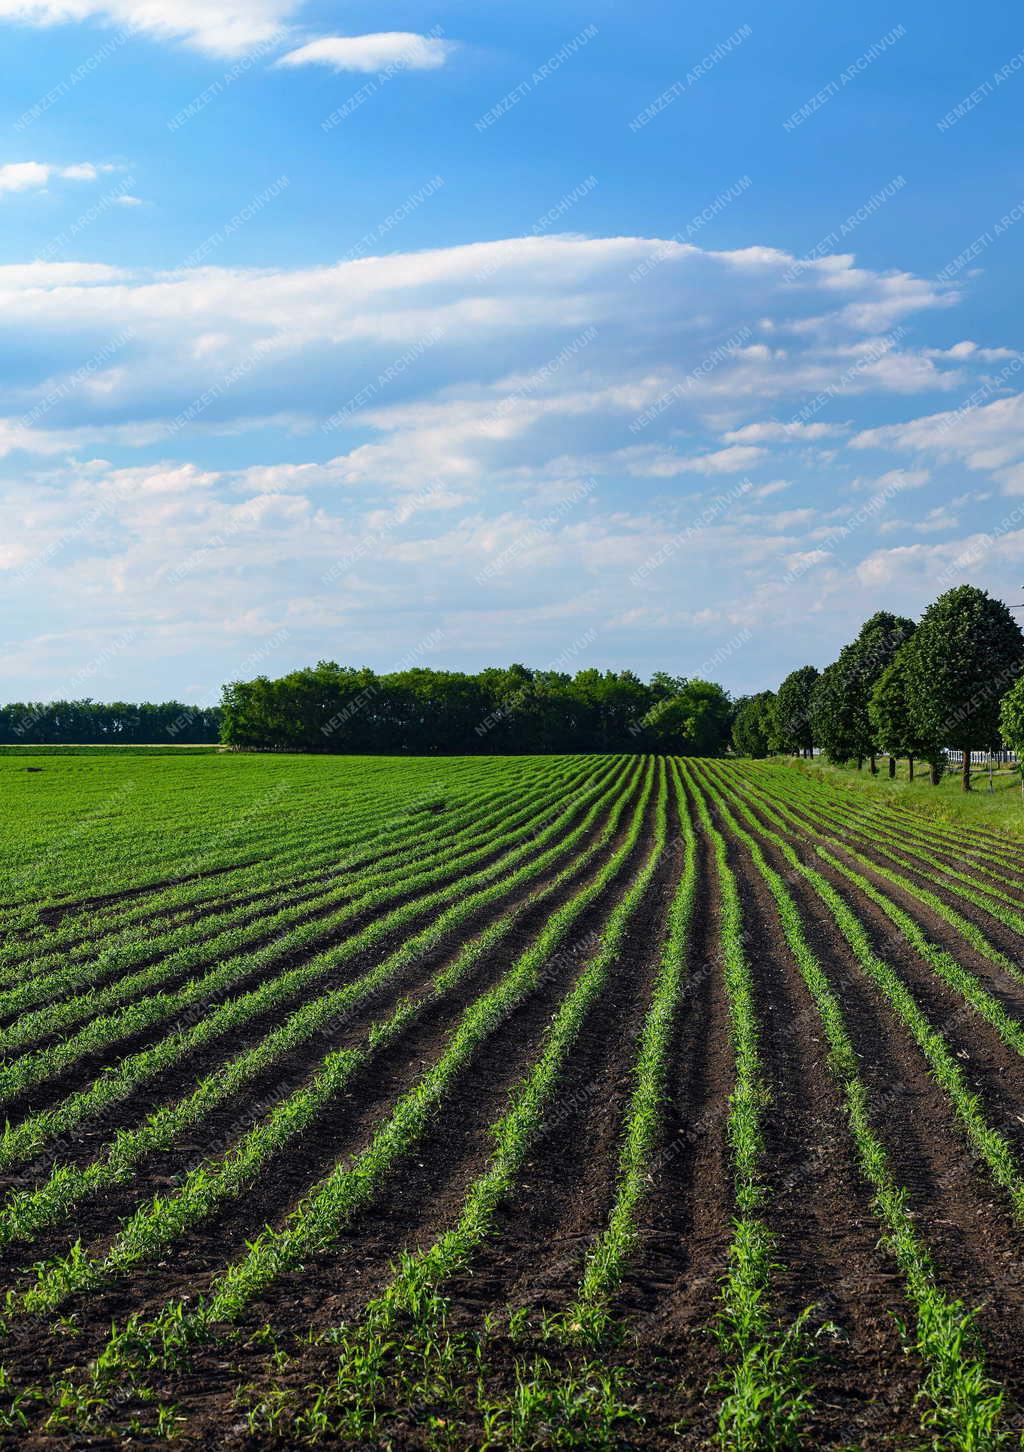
[(217, 27)]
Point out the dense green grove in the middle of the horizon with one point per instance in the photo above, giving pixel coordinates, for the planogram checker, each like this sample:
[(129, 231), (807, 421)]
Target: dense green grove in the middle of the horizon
[(503, 711)]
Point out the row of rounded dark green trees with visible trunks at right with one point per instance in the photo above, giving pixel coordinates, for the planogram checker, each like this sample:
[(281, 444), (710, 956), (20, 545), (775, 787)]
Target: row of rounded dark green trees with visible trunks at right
[(903, 689)]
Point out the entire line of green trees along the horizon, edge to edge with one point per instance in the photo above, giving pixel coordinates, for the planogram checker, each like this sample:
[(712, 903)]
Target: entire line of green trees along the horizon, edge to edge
[(903, 689)]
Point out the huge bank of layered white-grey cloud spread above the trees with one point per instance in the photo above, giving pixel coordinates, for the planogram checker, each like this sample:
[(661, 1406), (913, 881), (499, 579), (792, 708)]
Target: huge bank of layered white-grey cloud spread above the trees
[(519, 404)]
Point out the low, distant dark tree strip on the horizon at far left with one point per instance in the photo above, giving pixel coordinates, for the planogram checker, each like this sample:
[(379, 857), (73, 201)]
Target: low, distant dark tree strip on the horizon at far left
[(94, 724)]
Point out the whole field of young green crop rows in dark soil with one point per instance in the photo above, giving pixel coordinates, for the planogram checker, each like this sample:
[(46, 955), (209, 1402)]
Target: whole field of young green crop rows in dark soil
[(509, 1103)]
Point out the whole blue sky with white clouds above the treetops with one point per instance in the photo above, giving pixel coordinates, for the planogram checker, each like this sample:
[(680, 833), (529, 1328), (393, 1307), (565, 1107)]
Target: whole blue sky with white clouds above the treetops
[(463, 333)]
